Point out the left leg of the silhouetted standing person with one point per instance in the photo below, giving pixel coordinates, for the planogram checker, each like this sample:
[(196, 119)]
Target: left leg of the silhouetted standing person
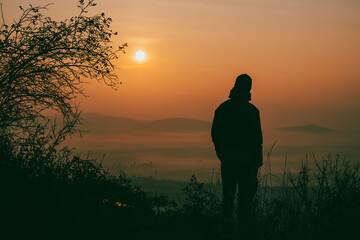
[(229, 188)]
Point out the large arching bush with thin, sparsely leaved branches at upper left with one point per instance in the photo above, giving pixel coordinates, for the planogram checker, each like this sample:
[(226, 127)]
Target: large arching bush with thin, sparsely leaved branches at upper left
[(44, 64)]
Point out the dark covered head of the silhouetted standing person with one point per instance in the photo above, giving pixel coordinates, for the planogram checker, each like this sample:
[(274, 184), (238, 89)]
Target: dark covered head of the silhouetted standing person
[(242, 87)]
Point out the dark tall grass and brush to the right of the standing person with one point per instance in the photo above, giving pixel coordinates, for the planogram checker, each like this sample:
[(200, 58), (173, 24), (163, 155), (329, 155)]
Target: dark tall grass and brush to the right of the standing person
[(320, 201)]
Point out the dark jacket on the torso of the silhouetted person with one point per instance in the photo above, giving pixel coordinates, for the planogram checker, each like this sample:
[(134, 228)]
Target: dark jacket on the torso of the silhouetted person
[(236, 133)]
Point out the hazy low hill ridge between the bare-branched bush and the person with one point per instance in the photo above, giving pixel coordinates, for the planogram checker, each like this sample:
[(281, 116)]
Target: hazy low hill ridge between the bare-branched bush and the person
[(97, 124)]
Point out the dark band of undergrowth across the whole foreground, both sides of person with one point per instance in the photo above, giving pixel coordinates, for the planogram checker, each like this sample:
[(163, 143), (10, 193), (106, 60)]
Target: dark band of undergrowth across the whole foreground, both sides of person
[(78, 198)]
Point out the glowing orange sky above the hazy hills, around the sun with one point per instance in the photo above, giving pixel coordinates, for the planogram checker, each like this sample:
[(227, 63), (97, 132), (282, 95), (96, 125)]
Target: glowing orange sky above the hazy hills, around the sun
[(303, 56)]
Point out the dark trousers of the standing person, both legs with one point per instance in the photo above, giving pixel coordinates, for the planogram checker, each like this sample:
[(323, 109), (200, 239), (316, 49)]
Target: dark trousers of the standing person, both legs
[(245, 178)]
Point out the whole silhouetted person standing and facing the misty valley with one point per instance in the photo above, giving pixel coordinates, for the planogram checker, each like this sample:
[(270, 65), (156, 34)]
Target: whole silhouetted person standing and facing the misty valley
[(236, 133)]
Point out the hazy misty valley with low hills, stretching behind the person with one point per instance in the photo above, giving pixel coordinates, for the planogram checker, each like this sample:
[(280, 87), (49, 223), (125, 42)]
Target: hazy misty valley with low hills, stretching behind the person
[(176, 148)]
